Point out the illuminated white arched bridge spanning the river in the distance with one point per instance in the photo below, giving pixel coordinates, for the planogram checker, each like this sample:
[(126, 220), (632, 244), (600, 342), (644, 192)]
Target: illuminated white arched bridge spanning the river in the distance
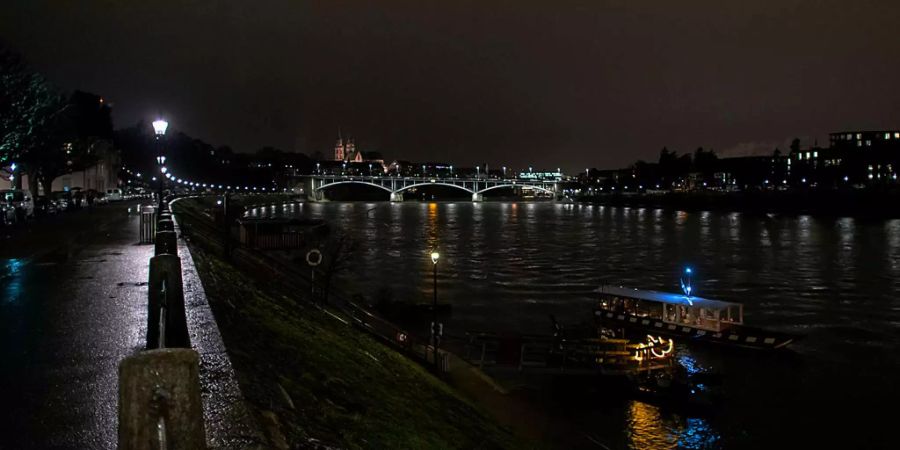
[(396, 186)]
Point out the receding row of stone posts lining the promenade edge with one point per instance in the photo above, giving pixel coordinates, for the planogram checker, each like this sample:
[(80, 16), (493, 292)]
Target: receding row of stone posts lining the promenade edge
[(159, 388)]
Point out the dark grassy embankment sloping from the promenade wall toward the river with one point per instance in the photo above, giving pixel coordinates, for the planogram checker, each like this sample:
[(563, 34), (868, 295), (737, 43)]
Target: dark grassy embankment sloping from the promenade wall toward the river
[(311, 378)]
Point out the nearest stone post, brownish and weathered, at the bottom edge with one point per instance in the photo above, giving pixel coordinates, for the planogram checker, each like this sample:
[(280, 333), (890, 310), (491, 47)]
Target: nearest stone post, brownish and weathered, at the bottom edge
[(159, 401)]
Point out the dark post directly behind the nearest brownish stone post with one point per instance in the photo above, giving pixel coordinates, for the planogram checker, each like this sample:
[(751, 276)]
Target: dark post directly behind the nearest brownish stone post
[(168, 268)]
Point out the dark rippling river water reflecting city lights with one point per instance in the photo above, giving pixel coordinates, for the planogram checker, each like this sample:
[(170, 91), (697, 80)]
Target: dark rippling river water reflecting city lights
[(509, 265)]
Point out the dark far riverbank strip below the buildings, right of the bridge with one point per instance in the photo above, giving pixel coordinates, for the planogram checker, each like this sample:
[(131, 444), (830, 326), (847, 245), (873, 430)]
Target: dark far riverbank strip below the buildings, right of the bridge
[(875, 204)]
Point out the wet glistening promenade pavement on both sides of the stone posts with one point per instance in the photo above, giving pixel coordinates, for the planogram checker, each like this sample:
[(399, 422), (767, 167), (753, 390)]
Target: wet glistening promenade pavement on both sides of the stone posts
[(73, 299)]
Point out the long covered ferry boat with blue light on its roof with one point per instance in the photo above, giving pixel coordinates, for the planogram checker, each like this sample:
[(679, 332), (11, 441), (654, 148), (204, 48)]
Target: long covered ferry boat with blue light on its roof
[(693, 318)]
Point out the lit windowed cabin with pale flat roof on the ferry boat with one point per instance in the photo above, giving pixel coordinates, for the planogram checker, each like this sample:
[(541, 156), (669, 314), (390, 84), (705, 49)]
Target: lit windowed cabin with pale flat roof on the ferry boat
[(679, 309)]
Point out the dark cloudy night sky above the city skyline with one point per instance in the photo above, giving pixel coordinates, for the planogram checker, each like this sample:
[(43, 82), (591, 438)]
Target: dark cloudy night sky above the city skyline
[(552, 83)]
